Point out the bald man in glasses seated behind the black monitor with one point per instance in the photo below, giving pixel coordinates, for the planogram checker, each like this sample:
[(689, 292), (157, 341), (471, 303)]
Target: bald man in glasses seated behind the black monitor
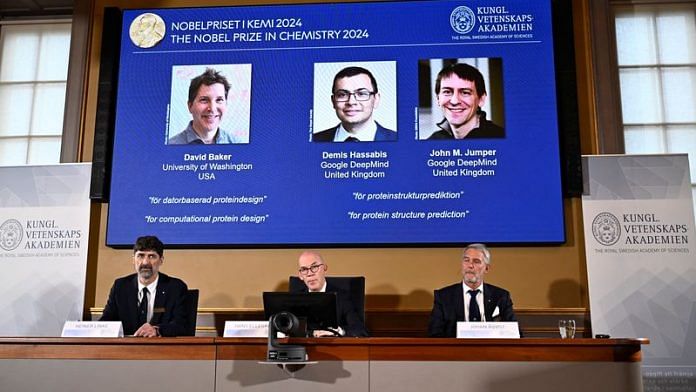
[(312, 272)]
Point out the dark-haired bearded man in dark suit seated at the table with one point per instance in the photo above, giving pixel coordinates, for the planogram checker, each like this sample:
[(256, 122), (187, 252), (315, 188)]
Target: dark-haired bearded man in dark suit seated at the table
[(148, 303)]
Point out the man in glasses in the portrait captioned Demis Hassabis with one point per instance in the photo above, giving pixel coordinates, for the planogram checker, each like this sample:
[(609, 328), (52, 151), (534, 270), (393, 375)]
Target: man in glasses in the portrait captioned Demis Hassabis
[(354, 97)]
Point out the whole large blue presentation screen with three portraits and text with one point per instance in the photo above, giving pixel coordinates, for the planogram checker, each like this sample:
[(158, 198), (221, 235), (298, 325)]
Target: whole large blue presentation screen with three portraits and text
[(345, 124)]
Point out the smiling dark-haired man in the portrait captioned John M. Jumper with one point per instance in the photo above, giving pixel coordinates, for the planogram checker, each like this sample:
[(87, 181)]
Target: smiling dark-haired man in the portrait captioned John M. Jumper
[(461, 92)]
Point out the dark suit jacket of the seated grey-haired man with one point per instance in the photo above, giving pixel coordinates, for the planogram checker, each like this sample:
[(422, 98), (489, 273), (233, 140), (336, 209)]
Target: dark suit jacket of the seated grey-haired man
[(448, 308)]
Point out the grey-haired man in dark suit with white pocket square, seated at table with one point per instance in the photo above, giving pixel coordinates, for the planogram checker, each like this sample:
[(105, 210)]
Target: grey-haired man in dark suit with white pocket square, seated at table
[(464, 300)]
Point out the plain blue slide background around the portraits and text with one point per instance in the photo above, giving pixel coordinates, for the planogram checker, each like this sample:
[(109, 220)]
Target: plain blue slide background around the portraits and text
[(520, 203)]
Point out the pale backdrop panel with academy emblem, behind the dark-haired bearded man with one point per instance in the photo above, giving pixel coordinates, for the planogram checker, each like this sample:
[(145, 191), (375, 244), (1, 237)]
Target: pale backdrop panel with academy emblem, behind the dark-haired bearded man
[(44, 227)]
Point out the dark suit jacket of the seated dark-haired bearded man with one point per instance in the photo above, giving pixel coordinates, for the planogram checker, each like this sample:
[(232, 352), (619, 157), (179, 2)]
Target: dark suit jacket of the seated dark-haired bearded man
[(169, 311)]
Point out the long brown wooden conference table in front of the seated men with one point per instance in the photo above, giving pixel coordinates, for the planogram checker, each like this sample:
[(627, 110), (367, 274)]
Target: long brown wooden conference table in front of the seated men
[(337, 364)]
